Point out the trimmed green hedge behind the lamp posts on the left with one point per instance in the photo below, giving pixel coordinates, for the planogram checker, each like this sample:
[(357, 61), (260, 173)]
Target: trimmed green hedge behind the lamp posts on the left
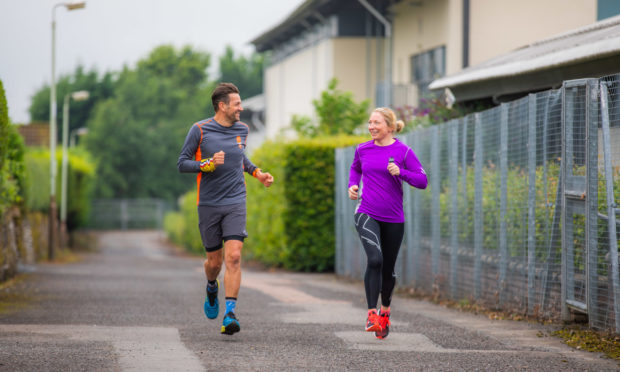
[(80, 183)]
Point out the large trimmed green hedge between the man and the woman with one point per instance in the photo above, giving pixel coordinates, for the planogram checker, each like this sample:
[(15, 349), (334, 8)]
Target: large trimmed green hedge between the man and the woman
[(291, 224)]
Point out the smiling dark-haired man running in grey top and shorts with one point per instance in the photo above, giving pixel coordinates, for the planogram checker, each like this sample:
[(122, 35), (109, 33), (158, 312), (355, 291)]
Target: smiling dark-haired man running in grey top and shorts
[(218, 146)]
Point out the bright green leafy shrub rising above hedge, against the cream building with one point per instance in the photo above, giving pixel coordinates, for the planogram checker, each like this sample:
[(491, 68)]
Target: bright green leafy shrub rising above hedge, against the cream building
[(337, 111)]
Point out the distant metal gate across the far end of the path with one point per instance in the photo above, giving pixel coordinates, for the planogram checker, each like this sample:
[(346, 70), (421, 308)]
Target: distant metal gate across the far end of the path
[(124, 214)]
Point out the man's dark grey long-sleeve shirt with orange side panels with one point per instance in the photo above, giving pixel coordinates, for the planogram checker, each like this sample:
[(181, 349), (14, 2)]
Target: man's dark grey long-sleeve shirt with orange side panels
[(226, 184)]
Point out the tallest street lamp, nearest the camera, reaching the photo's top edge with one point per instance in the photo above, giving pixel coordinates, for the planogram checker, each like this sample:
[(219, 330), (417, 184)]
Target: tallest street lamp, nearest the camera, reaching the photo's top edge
[(52, 217)]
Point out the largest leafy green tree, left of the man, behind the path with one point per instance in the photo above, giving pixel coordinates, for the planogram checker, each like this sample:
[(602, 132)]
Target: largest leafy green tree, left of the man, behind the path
[(135, 135)]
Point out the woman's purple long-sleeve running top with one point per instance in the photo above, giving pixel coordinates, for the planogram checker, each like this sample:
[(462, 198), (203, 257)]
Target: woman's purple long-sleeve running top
[(382, 194)]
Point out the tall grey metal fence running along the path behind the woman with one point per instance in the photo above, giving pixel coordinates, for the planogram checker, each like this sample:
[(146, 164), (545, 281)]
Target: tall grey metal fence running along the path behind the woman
[(520, 212)]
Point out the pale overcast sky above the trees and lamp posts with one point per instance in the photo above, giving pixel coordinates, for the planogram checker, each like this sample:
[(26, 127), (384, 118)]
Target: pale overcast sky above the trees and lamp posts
[(108, 34)]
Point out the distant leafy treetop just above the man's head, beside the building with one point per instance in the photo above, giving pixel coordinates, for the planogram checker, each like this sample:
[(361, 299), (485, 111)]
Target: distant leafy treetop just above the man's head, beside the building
[(245, 72)]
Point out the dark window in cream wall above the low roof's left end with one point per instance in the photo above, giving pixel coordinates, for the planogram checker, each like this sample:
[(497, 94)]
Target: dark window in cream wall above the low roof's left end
[(426, 67)]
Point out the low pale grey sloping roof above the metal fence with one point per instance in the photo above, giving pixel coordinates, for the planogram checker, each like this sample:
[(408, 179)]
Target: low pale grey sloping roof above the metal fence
[(590, 51)]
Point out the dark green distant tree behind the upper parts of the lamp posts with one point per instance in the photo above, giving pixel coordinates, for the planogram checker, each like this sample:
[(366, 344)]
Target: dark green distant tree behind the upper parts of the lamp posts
[(99, 88)]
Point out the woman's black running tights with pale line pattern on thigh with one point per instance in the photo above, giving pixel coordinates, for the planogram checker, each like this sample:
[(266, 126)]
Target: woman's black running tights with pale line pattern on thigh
[(381, 241)]
